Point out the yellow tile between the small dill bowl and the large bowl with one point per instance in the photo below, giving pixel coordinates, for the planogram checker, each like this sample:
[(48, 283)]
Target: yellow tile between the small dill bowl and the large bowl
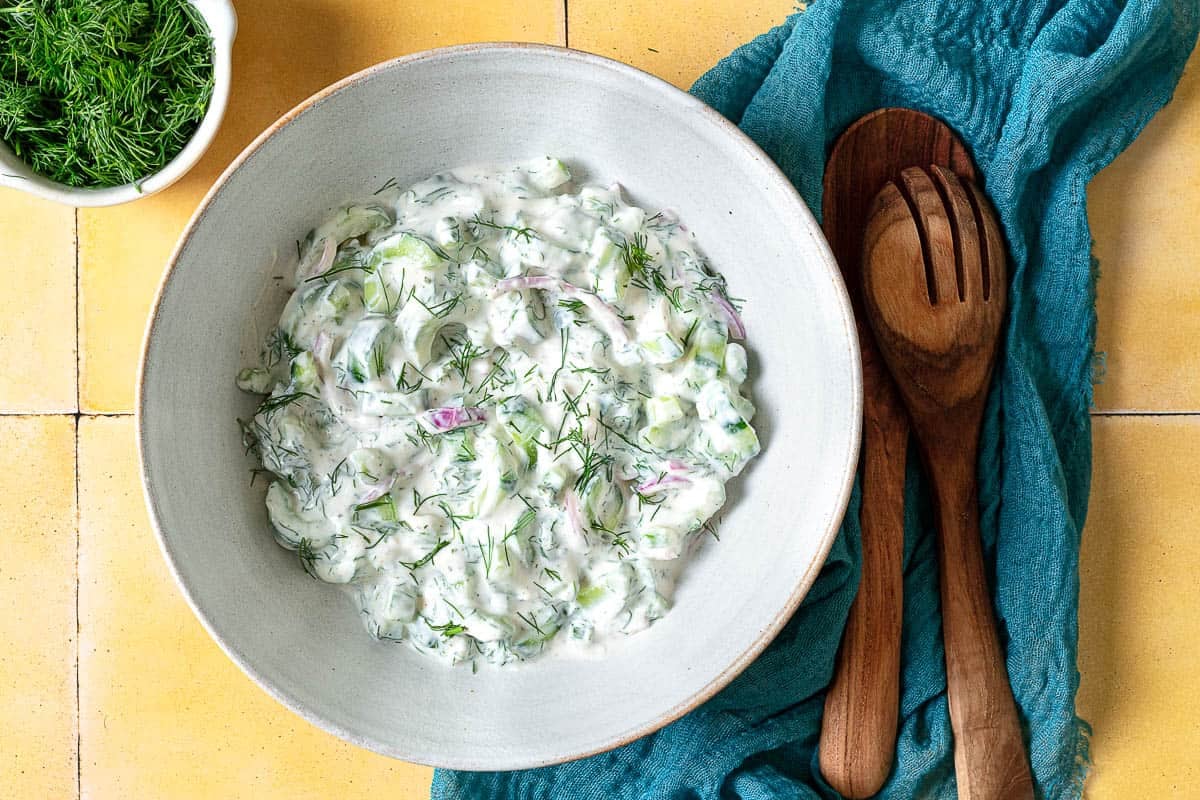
[(284, 53)]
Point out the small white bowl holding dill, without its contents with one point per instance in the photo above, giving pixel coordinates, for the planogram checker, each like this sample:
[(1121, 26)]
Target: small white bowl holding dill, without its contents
[(223, 23)]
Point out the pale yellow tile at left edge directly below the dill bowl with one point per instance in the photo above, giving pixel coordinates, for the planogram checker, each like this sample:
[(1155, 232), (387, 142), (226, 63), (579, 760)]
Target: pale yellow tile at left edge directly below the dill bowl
[(38, 360)]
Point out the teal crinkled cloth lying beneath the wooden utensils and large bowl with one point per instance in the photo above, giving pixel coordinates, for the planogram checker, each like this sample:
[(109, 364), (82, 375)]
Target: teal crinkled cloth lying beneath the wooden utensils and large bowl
[(1046, 94)]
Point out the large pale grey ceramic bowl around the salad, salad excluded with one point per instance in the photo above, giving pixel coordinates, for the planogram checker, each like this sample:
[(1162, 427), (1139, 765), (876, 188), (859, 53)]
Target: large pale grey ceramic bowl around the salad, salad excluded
[(407, 119)]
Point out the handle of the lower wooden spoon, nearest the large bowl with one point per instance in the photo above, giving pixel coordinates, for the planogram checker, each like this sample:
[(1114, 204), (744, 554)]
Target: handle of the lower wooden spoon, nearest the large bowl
[(859, 732)]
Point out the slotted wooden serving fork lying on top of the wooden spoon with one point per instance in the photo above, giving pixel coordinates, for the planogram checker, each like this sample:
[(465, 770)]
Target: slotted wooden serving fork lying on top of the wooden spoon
[(935, 288)]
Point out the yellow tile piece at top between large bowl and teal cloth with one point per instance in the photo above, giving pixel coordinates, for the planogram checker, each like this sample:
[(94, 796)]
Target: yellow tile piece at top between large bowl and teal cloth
[(676, 41)]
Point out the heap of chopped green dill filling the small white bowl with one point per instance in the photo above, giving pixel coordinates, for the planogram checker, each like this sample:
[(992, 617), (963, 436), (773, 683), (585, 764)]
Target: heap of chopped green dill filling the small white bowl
[(103, 93)]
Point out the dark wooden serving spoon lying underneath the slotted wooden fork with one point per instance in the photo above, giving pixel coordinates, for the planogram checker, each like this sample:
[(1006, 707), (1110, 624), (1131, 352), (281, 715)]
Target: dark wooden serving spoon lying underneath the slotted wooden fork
[(859, 731)]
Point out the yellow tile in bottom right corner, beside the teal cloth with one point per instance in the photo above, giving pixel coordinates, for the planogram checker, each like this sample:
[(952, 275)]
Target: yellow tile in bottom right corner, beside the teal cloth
[(1139, 629)]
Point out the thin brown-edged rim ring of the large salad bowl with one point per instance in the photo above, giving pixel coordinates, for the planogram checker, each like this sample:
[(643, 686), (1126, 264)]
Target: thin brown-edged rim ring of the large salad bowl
[(848, 471)]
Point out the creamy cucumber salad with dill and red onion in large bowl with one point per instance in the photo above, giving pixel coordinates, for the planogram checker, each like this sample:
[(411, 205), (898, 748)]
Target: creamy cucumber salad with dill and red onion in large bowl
[(501, 410)]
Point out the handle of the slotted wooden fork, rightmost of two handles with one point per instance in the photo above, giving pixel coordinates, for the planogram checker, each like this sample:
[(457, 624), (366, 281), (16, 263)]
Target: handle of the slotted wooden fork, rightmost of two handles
[(989, 751)]
